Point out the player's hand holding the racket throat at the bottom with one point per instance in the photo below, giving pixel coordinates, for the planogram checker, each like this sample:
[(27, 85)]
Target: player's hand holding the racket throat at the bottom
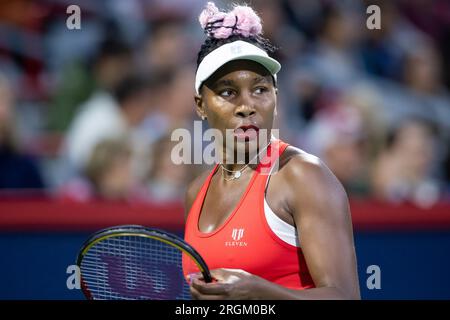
[(228, 284)]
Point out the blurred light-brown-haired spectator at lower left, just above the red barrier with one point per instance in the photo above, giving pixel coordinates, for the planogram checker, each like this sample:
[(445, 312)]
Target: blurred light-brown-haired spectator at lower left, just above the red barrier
[(107, 175)]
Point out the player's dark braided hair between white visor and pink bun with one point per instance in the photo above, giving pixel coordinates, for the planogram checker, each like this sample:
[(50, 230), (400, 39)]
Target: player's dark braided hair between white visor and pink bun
[(211, 44)]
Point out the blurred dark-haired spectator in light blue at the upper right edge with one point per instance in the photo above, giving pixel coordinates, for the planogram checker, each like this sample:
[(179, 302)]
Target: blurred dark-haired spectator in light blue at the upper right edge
[(422, 95)]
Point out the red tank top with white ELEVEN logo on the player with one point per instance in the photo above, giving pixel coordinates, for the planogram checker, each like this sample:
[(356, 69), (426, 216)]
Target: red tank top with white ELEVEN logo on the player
[(245, 240)]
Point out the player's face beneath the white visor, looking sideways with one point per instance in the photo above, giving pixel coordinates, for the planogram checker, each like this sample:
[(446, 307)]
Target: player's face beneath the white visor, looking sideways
[(239, 100)]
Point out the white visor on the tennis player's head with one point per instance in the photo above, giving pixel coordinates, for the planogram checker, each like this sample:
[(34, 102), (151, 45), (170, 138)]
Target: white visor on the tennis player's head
[(236, 50)]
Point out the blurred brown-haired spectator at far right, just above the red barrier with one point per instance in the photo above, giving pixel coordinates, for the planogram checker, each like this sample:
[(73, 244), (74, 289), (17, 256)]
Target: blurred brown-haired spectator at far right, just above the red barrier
[(403, 171)]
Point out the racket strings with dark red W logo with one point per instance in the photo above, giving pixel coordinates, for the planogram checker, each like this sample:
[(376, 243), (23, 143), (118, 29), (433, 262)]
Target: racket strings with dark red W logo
[(134, 267)]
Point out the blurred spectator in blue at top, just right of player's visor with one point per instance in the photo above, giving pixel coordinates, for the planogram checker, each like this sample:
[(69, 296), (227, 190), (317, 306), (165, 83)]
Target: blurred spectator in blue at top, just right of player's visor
[(326, 66)]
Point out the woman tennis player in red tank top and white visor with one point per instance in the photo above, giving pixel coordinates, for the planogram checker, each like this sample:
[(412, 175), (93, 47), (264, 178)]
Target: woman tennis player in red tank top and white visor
[(279, 228)]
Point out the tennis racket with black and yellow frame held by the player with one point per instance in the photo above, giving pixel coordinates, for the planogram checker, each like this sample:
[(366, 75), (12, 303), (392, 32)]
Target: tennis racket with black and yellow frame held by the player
[(132, 262)]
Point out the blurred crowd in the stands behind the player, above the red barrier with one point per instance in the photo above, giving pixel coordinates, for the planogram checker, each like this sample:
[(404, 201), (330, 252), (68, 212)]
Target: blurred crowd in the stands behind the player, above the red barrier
[(88, 114)]
